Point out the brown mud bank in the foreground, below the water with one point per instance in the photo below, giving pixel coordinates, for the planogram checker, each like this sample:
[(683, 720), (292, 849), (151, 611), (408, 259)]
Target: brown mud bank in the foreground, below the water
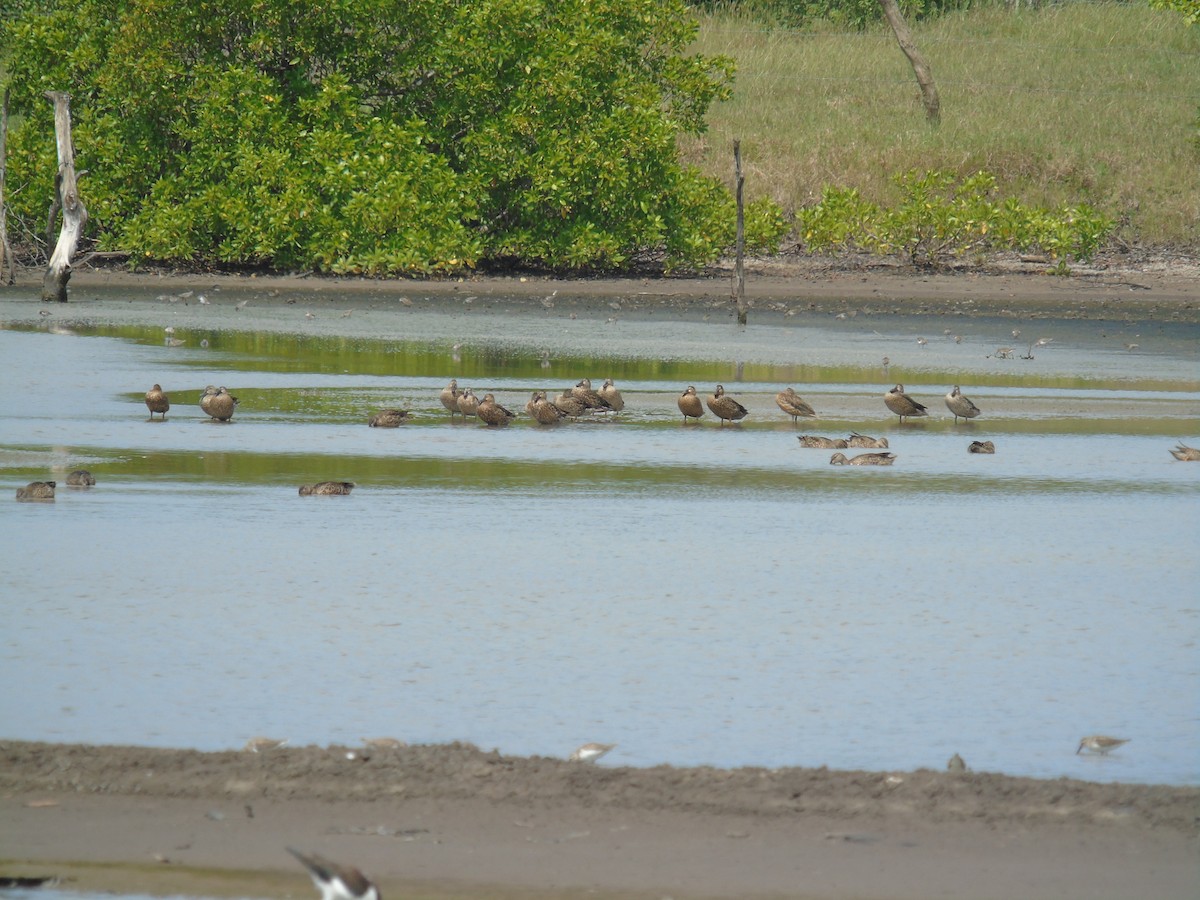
[(457, 821)]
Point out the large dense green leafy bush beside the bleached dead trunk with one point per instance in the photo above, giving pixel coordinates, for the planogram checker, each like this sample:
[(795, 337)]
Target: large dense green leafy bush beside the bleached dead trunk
[(376, 136)]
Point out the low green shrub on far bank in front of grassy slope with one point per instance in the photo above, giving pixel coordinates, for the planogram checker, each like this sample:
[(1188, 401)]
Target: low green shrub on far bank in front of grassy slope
[(941, 217)]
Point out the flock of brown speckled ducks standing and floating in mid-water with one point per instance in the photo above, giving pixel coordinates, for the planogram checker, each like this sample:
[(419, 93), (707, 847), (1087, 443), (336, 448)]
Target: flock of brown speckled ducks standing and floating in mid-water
[(583, 400)]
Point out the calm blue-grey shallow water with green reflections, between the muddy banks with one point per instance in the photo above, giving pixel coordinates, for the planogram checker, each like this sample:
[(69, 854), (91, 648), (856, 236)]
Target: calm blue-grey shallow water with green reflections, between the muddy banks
[(697, 595)]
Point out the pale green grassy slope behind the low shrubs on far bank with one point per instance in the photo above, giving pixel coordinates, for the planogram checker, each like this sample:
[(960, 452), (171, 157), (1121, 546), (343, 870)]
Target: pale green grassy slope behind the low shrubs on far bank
[(1079, 103)]
